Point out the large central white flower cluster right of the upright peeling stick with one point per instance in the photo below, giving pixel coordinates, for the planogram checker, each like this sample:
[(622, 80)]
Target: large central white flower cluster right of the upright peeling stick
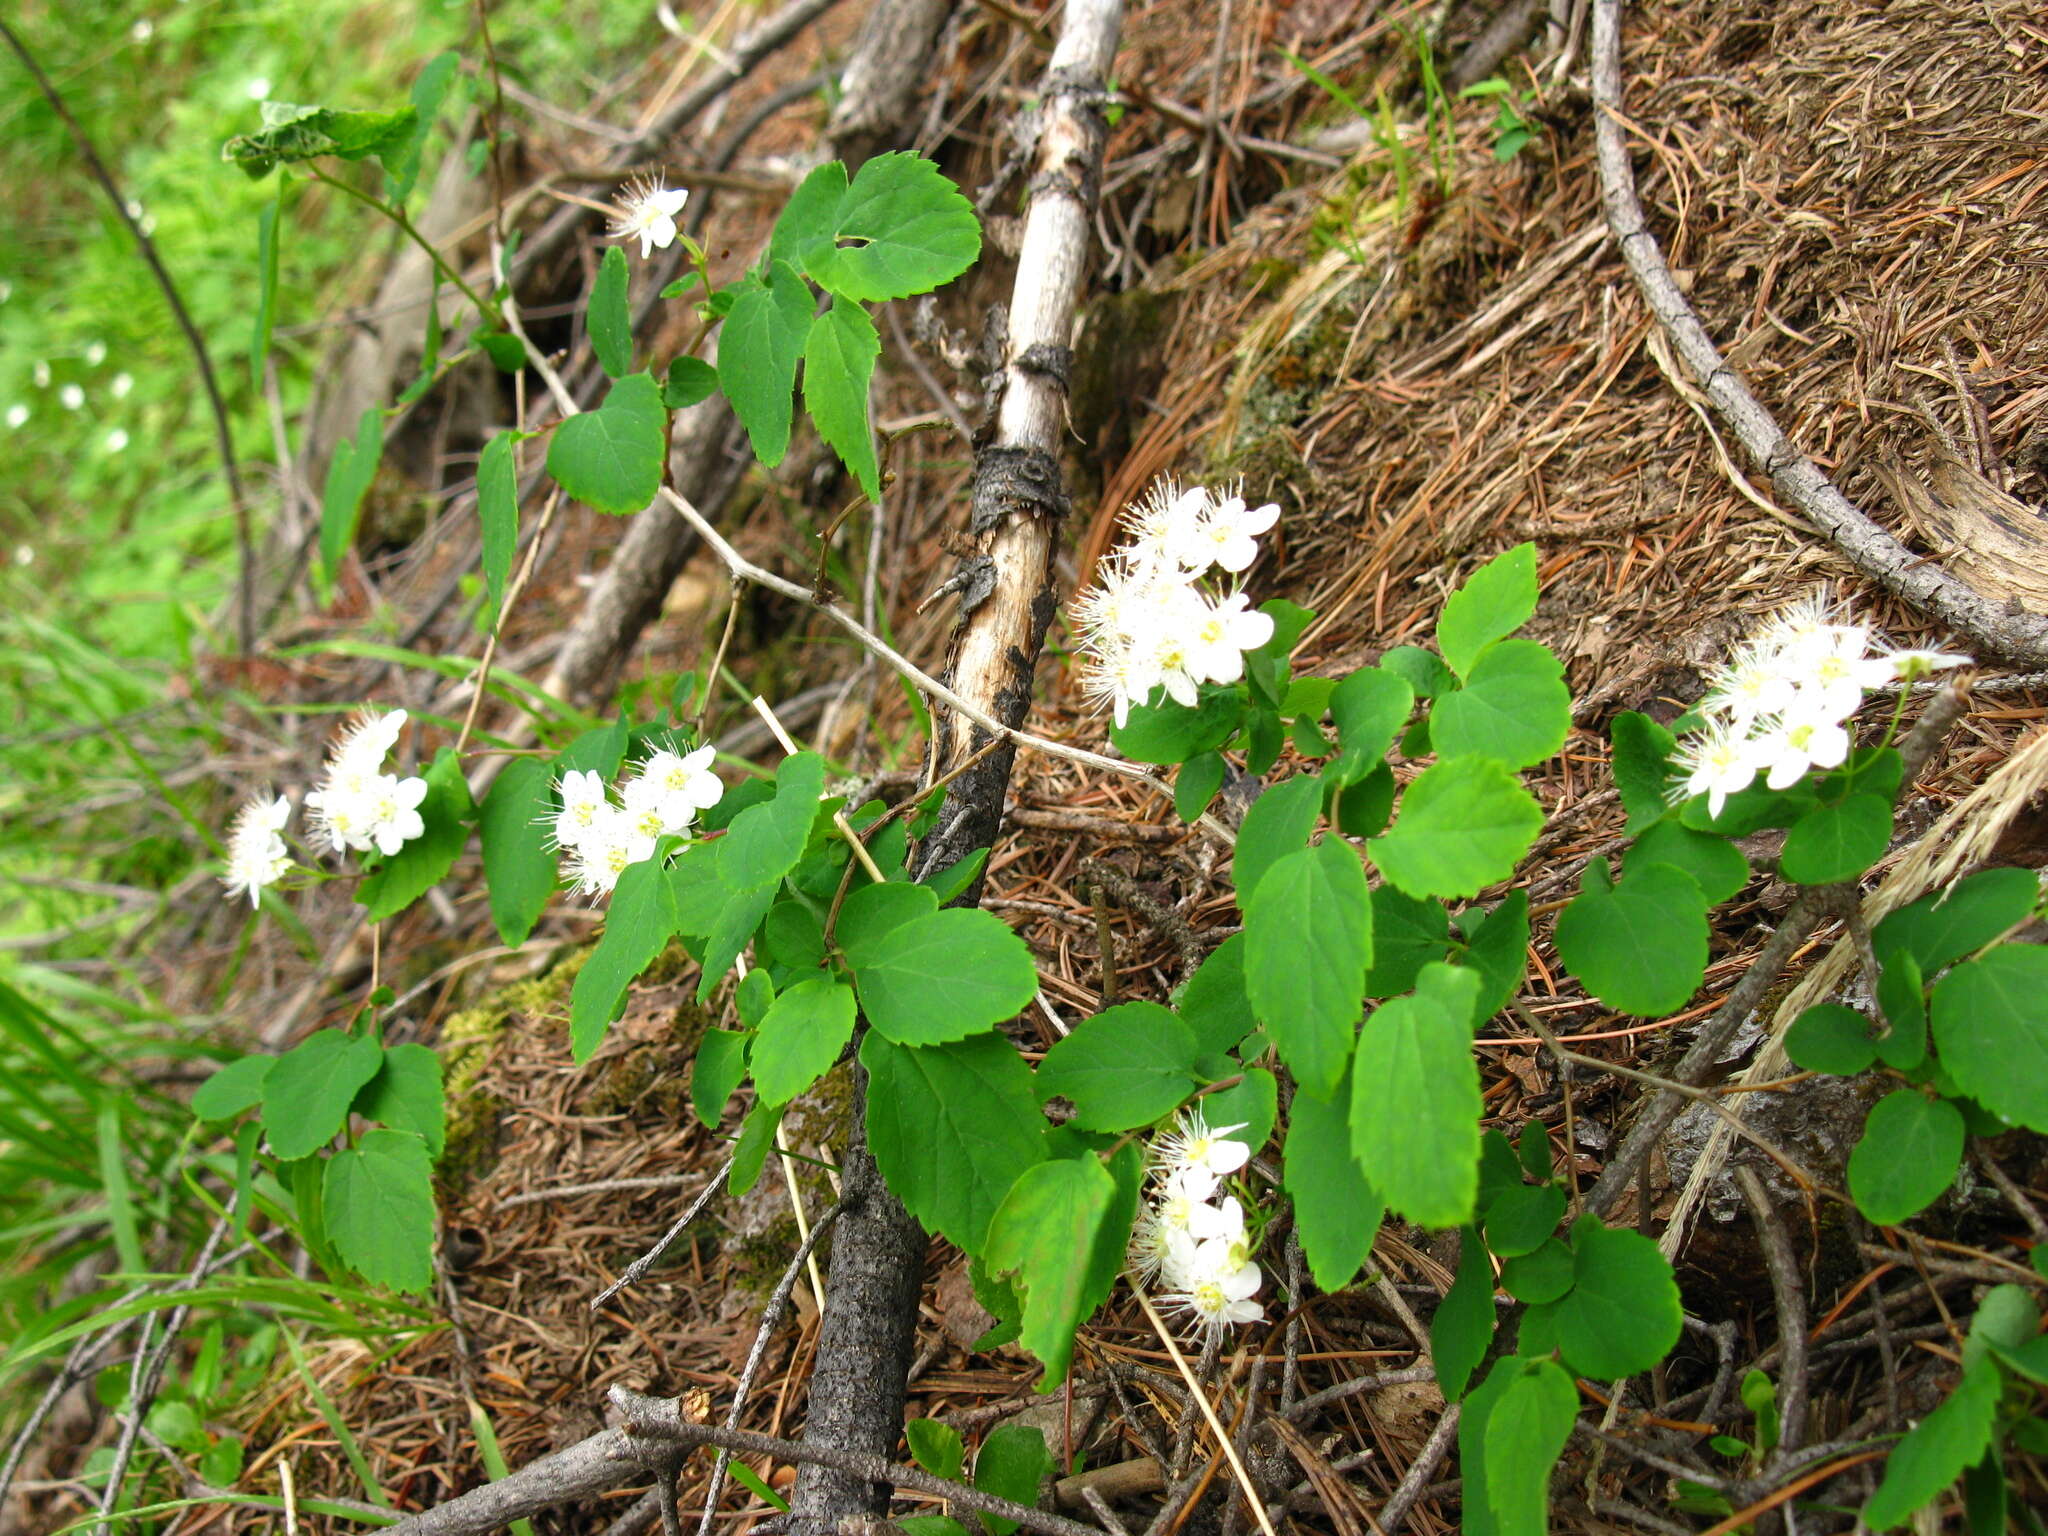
[(1154, 617)]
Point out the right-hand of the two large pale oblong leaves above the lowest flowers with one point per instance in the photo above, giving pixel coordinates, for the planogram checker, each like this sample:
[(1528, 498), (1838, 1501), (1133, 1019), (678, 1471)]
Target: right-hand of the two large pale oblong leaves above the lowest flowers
[(1416, 1107)]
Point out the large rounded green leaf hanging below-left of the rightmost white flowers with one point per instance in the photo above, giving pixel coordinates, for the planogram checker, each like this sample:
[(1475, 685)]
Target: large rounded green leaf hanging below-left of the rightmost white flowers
[(1641, 945)]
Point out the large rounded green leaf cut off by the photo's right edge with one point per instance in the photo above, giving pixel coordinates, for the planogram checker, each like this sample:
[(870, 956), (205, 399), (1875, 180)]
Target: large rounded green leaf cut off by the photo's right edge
[(1994, 1033)]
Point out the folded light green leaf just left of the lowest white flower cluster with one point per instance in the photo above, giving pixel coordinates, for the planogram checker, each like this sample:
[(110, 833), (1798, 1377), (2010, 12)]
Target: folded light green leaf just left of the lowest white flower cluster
[(1062, 1230)]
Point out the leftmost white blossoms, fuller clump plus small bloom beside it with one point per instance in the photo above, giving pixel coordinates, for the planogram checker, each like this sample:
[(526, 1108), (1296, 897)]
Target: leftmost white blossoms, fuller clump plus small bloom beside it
[(357, 808)]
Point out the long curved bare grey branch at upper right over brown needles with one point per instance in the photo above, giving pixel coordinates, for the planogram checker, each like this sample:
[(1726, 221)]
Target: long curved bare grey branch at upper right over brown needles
[(1865, 544)]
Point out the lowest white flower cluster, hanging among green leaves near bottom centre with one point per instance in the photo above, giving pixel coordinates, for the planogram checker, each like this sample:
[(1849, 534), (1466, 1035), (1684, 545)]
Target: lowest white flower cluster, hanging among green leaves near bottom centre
[(1193, 1234)]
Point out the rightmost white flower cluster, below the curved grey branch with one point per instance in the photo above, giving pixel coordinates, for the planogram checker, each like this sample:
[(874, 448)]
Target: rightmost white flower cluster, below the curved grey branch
[(1779, 706)]
